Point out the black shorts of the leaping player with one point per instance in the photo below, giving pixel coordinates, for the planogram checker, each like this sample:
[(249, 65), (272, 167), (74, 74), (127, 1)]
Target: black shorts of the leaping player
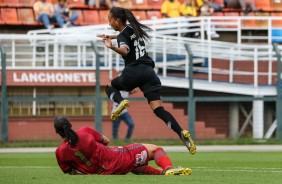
[(142, 76)]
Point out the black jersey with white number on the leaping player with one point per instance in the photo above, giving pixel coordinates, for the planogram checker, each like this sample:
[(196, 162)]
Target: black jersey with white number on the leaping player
[(137, 53)]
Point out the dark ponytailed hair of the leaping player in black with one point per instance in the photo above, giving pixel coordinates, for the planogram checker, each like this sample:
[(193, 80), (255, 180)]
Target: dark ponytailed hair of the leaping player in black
[(126, 15)]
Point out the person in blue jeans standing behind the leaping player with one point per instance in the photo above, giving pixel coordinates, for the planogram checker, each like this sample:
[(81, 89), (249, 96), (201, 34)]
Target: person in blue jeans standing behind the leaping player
[(124, 116)]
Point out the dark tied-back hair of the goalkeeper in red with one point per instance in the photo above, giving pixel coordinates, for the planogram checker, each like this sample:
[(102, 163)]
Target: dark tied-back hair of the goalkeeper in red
[(63, 127)]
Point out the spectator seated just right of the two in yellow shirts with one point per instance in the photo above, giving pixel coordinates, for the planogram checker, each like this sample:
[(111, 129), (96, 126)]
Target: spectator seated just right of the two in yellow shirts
[(206, 10)]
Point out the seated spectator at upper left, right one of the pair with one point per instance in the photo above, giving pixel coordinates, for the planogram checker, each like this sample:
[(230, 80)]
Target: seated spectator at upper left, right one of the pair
[(62, 9)]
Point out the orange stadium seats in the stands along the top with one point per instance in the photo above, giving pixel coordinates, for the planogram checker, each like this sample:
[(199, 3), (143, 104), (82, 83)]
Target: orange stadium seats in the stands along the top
[(143, 9)]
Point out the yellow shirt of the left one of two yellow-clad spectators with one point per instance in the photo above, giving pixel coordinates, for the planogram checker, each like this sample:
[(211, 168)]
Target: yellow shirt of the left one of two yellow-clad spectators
[(170, 8)]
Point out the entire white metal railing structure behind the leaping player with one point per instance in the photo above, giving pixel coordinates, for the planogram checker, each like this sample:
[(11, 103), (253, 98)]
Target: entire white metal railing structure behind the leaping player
[(71, 48)]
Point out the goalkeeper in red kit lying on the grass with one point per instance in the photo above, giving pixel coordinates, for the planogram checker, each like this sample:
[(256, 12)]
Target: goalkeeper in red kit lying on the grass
[(85, 151)]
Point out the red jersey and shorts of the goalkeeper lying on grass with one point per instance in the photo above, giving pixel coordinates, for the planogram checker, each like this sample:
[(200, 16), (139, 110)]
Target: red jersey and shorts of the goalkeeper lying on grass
[(90, 156)]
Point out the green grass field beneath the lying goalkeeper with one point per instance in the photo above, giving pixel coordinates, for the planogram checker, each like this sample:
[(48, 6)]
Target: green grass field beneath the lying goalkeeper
[(208, 167)]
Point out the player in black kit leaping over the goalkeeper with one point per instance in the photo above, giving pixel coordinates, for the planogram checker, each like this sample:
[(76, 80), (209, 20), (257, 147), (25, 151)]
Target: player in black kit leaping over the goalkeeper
[(138, 71)]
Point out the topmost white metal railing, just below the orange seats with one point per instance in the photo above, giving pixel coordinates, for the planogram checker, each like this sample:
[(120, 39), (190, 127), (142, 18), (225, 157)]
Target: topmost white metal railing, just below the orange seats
[(182, 25)]
